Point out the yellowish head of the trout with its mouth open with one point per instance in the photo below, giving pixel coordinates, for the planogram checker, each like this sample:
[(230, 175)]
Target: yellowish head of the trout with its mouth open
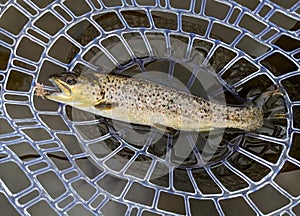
[(72, 90)]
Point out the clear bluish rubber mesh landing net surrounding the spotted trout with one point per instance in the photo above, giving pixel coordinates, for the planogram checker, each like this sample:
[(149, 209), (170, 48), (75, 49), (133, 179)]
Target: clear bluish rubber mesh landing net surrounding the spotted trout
[(55, 159)]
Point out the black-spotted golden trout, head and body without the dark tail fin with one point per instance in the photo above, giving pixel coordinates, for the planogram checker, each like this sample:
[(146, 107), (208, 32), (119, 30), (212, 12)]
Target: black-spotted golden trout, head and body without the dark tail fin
[(145, 102)]
